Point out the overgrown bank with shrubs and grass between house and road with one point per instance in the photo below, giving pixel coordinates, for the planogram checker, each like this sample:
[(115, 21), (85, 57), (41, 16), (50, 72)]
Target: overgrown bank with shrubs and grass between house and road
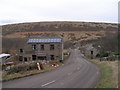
[(24, 73)]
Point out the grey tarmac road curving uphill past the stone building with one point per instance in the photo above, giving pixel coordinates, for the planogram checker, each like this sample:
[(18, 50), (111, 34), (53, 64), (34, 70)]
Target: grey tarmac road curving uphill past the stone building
[(76, 73)]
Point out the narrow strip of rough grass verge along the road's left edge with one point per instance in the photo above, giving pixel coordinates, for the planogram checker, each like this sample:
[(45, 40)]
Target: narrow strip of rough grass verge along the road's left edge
[(47, 67)]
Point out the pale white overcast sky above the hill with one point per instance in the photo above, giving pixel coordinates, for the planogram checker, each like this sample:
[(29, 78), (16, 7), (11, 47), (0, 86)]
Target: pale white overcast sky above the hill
[(18, 11)]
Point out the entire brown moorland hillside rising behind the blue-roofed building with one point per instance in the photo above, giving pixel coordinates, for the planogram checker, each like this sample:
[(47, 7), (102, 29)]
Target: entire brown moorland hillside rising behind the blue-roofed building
[(15, 35)]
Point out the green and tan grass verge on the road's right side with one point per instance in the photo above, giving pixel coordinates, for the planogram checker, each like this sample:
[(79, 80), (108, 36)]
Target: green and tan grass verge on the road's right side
[(109, 74)]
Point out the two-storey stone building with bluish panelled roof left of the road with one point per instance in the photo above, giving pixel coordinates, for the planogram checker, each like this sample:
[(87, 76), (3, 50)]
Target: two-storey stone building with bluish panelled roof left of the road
[(42, 49)]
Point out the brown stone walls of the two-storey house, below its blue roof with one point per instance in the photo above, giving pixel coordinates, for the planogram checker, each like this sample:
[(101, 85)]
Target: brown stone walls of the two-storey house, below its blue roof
[(28, 51)]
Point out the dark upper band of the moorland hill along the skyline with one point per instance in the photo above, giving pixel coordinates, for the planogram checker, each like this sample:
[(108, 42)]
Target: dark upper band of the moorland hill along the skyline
[(57, 26)]
